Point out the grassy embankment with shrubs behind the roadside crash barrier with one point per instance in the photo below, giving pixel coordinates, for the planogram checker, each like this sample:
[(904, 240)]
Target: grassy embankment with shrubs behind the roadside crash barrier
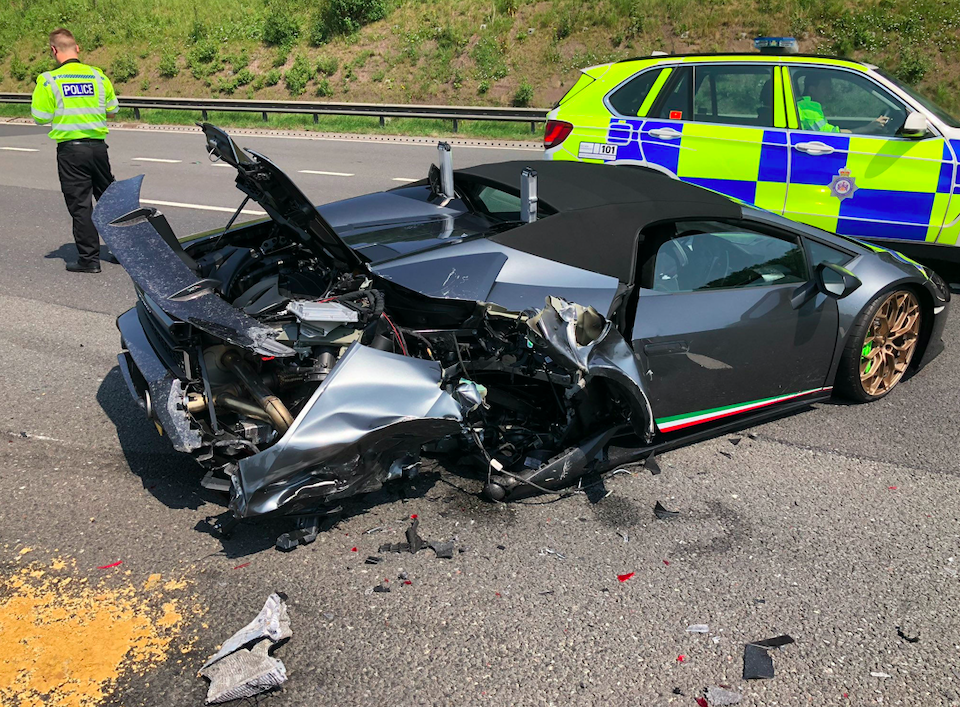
[(496, 52)]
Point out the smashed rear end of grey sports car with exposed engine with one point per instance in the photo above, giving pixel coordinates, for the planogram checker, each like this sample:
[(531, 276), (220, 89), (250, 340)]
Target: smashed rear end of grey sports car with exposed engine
[(298, 377)]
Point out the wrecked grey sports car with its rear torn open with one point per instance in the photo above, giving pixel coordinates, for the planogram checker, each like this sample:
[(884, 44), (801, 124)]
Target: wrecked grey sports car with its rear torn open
[(318, 353)]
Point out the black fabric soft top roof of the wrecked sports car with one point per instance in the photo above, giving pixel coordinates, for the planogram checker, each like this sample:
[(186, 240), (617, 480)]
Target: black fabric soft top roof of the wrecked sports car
[(600, 210)]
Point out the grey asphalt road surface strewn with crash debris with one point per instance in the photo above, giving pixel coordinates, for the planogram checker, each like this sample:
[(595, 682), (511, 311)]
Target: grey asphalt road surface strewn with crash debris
[(835, 526)]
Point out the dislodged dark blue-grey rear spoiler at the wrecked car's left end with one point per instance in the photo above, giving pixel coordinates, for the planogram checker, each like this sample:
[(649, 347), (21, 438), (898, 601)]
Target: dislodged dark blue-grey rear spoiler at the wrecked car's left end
[(165, 277)]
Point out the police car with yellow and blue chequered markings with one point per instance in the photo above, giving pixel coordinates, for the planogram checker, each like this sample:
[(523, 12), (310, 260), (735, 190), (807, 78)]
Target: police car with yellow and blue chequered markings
[(832, 142)]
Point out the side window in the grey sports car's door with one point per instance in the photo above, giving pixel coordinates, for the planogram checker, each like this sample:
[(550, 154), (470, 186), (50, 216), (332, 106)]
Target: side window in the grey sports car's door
[(715, 255)]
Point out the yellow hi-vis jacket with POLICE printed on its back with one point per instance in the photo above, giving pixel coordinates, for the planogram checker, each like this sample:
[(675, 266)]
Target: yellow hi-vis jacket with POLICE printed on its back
[(76, 99)]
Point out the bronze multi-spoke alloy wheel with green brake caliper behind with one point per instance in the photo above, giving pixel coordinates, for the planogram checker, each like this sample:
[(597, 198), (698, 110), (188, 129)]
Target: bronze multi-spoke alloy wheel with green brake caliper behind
[(889, 343)]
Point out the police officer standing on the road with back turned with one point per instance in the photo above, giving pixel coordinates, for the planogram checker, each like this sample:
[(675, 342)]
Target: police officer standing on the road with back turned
[(77, 99)]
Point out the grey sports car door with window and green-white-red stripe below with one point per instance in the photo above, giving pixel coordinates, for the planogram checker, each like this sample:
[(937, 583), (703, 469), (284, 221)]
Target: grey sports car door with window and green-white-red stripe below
[(715, 327)]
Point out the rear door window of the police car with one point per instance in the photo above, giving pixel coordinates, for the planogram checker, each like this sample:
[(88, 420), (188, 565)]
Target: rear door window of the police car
[(737, 95)]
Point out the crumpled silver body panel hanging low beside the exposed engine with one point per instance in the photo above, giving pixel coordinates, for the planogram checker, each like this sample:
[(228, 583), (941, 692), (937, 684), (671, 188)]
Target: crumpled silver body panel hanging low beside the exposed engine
[(375, 407)]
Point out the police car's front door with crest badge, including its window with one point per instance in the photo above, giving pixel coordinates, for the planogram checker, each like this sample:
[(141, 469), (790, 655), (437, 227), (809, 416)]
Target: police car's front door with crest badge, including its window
[(856, 176)]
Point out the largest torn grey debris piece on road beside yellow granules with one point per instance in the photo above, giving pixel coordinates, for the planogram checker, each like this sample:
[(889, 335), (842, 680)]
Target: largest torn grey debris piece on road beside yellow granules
[(236, 671)]
